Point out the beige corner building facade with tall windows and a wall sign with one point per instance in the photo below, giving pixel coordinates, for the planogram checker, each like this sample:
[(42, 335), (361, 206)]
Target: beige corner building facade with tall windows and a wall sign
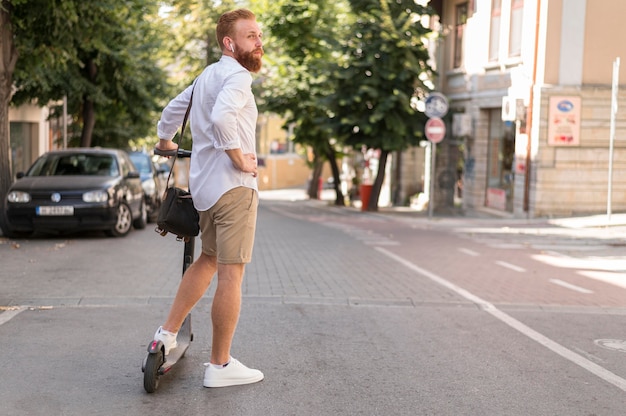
[(534, 113)]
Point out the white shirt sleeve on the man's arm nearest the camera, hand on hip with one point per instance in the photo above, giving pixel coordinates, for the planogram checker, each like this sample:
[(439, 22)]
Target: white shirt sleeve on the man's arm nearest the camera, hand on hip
[(229, 103)]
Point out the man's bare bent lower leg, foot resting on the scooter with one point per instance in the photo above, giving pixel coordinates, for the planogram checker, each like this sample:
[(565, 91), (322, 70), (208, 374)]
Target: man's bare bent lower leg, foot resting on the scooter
[(193, 286)]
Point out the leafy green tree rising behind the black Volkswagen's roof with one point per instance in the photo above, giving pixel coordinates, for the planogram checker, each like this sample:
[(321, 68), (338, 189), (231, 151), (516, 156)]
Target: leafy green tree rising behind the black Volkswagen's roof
[(109, 75)]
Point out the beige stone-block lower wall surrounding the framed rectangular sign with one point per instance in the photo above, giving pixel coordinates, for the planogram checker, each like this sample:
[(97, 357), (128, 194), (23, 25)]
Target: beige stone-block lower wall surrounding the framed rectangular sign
[(575, 180)]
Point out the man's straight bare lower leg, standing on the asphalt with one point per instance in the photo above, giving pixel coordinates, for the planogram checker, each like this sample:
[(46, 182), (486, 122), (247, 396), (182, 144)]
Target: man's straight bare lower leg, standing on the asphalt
[(225, 310)]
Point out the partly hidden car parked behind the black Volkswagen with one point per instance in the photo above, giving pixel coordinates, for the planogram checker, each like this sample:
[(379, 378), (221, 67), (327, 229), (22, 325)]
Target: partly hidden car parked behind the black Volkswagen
[(153, 182)]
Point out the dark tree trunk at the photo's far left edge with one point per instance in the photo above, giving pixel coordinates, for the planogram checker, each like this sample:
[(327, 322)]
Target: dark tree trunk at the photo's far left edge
[(8, 56)]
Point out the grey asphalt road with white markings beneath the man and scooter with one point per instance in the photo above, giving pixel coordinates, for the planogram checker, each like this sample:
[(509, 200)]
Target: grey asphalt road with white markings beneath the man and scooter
[(346, 313)]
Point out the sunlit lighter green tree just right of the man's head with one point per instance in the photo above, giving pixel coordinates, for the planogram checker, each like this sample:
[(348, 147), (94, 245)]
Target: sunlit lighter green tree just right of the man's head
[(304, 45)]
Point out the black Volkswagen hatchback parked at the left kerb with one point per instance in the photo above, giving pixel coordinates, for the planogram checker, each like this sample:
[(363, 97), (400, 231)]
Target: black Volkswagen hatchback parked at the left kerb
[(77, 189)]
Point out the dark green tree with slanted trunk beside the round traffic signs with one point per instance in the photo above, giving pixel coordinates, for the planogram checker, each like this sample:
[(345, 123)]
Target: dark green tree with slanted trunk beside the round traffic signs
[(386, 63)]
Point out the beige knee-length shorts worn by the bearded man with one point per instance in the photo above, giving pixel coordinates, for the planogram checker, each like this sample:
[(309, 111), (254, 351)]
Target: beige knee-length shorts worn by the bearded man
[(228, 226)]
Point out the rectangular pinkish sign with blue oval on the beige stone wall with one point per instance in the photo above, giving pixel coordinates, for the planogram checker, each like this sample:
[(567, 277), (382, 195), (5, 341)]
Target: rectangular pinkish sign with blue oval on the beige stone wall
[(564, 121)]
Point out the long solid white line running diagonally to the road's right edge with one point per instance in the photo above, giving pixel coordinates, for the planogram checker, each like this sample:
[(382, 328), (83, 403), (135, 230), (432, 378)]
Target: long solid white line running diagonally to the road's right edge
[(555, 347)]
